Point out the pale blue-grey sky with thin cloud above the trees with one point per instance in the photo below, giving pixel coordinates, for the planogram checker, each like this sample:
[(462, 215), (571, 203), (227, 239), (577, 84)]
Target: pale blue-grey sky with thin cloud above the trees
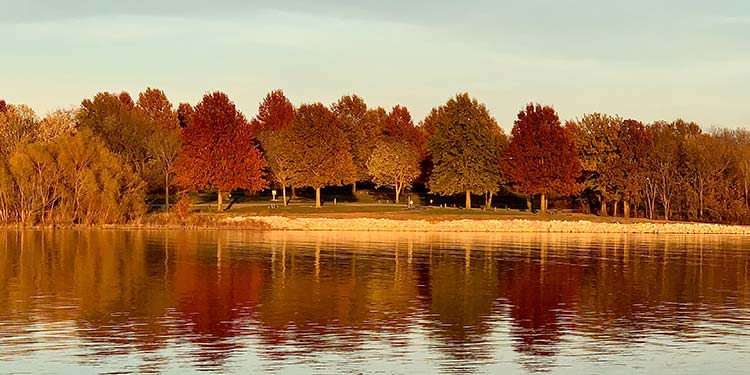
[(647, 60)]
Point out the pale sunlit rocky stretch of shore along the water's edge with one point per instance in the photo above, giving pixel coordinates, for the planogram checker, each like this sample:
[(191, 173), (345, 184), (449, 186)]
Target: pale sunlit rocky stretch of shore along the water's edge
[(495, 226)]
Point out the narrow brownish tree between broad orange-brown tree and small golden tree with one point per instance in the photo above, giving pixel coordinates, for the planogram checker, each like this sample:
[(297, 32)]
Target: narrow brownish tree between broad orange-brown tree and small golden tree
[(351, 115)]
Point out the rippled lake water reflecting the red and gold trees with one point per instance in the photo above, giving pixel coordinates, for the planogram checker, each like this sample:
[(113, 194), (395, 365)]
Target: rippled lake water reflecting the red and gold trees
[(82, 302)]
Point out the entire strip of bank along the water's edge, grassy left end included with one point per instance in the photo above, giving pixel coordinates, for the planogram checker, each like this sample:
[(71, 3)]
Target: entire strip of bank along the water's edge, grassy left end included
[(384, 225)]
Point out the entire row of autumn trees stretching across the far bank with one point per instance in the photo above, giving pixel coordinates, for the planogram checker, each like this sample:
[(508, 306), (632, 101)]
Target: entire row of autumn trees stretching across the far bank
[(96, 163)]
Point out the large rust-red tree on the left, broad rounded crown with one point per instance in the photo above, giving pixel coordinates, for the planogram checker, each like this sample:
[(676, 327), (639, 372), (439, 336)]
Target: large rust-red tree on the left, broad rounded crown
[(217, 150)]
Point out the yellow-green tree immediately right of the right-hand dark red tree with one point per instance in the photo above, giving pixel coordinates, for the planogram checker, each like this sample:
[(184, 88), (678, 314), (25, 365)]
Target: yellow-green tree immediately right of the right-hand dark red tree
[(596, 138)]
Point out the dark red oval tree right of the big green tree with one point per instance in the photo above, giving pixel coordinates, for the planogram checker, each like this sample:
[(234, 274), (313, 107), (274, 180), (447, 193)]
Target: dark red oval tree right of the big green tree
[(541, 158)]
